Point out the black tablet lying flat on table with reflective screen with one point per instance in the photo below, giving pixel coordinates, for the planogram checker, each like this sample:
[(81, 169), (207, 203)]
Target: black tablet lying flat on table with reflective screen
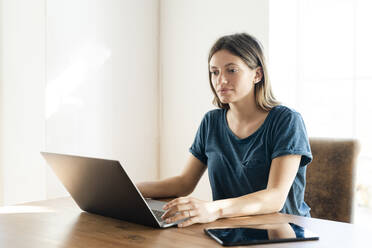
[(260, 234)]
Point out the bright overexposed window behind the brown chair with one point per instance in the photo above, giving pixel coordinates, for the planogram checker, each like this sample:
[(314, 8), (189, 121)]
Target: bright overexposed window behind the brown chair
[(319, 54)]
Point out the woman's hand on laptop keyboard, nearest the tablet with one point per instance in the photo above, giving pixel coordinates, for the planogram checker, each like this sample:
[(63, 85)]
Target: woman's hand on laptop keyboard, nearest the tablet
[(197, 211)]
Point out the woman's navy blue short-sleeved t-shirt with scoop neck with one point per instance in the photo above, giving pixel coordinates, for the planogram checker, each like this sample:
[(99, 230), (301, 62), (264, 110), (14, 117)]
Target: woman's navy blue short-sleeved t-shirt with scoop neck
[(237, 167)]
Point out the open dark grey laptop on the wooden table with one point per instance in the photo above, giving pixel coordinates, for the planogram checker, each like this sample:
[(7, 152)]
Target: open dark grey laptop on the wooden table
[(102, 186)]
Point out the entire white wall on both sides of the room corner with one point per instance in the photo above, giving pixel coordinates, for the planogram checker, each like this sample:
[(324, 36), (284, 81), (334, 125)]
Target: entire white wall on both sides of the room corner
[(102, 78)]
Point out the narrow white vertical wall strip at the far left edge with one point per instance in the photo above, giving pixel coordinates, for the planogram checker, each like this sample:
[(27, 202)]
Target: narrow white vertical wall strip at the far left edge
[(22, 52)]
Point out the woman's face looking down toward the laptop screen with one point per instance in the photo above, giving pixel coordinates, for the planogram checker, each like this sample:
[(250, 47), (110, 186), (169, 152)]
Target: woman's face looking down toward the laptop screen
[(232, 79)]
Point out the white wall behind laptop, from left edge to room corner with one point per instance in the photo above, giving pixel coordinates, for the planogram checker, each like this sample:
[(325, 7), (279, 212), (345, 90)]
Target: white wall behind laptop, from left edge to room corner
[(76, 77)]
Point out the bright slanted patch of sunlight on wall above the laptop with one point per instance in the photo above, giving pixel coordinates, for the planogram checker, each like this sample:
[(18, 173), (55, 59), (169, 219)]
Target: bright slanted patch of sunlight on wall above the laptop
[(60, 90)]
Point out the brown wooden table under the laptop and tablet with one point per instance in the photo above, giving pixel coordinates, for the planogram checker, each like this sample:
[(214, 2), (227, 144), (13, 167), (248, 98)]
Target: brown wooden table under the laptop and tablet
[(60, 223)]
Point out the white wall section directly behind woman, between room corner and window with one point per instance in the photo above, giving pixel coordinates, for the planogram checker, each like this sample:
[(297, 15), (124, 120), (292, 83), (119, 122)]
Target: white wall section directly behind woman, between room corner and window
[(188, 30)]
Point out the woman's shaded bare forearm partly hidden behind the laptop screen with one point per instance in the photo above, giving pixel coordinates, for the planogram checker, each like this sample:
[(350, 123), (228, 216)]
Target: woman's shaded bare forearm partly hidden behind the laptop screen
[(177, 186)]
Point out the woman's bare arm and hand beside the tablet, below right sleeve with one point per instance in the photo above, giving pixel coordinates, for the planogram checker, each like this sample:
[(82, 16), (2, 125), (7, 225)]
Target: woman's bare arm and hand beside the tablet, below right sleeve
[(282, 173)]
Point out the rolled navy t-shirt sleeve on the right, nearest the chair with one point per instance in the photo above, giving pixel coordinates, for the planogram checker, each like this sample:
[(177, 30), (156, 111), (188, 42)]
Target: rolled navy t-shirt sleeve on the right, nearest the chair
[(290, 137)]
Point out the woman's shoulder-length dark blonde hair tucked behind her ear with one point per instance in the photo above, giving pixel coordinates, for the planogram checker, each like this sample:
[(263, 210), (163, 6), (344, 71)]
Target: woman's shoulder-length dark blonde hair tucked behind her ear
[(250, 51)]
